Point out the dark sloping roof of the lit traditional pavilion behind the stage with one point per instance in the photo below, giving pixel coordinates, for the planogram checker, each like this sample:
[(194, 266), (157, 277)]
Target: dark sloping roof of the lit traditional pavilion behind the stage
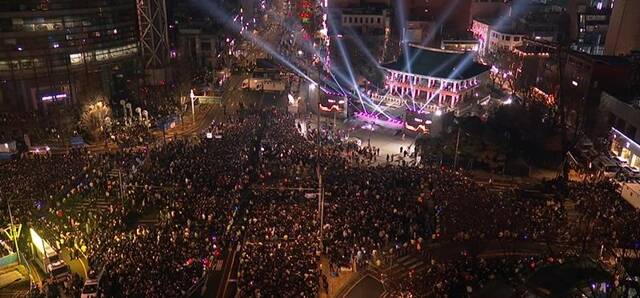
[(439, 63)]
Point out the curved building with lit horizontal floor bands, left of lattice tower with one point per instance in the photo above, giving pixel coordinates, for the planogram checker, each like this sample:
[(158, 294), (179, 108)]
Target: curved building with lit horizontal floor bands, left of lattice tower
[(60, 51)]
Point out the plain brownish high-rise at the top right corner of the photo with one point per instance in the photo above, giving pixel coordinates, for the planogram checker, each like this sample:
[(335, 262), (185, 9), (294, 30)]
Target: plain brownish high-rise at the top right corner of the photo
[(624, 33)]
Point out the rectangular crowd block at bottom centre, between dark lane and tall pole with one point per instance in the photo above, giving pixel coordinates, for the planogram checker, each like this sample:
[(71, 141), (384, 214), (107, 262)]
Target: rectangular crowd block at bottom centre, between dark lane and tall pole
[(279, 258)]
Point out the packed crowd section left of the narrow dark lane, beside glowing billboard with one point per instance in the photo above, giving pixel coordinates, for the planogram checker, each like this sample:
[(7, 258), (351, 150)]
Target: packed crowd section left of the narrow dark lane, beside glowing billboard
[(51, 195)]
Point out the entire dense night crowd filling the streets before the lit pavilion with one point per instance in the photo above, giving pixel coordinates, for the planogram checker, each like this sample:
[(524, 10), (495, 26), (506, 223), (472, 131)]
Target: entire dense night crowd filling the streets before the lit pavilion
[(257, 182)]
